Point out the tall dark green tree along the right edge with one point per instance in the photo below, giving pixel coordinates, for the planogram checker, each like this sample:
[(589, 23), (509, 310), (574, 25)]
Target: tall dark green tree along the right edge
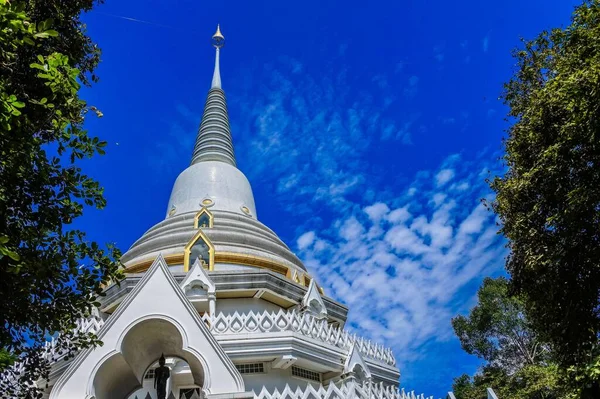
[(549, 198)]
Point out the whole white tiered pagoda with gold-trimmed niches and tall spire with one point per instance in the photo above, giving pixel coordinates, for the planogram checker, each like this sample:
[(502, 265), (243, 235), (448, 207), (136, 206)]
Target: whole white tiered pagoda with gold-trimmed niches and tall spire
[(233, 310)]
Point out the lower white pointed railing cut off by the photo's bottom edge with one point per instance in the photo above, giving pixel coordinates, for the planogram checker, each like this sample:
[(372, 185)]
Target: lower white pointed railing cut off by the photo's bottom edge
[(350, 390)]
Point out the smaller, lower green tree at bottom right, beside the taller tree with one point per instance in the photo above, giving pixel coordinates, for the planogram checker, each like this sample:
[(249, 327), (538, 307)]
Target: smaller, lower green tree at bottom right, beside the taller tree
[(517, 363)]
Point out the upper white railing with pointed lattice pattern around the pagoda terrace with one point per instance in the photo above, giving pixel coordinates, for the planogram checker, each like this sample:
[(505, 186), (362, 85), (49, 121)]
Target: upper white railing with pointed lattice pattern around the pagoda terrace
[(305, 324)]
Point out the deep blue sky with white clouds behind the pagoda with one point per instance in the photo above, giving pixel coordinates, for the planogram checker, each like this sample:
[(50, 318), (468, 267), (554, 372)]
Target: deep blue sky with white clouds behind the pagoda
[(366, 129)]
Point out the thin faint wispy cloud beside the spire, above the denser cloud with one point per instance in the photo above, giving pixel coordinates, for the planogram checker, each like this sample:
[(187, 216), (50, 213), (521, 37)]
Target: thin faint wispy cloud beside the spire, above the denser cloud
[(312, 134)]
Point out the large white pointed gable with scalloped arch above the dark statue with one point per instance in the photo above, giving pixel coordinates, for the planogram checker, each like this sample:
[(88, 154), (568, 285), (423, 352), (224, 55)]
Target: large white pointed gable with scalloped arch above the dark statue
[(155, 317)]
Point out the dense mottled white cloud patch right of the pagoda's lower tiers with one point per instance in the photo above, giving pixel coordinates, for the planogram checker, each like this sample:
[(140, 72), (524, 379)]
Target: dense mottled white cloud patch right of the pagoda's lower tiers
[(405, 271)]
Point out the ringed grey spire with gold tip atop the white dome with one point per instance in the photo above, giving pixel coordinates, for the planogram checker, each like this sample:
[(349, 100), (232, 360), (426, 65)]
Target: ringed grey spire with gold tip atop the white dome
[(213, 142)]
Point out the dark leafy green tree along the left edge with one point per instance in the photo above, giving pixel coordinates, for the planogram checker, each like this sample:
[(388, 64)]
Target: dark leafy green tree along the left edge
[(50, 275)]
